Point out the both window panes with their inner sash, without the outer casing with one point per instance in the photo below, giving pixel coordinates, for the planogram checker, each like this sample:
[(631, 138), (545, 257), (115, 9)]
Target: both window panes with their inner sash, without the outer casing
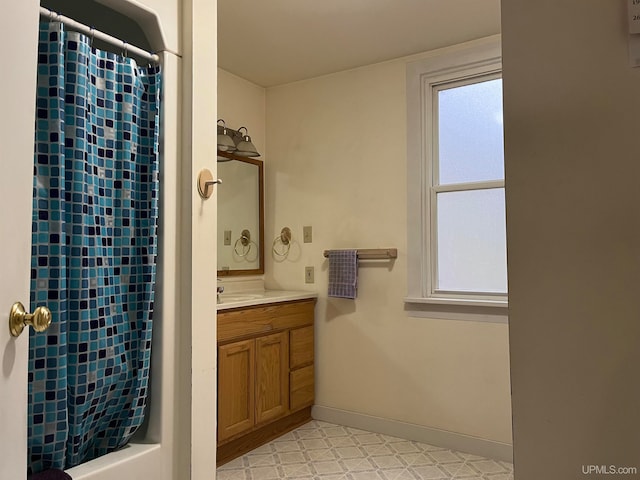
[(468, 239)]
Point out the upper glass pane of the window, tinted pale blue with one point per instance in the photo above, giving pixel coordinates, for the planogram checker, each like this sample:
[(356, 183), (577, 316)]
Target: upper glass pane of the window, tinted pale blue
[(470, 133)]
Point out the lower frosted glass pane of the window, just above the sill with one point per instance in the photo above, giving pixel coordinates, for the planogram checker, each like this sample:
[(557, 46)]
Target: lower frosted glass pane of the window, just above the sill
[(472, 241)]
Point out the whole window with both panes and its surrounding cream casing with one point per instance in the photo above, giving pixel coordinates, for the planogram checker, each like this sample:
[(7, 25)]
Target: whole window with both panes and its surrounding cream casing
[(457, 234)]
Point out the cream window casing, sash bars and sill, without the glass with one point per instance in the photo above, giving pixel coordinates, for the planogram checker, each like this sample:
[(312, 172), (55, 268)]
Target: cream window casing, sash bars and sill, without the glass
[(478, 59)]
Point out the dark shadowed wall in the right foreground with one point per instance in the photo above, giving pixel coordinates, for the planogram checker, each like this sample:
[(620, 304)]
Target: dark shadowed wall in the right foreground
[(572, 105)]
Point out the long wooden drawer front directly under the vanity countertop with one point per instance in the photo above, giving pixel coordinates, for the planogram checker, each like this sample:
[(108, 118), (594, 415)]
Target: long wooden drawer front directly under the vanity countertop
[(253, 321)]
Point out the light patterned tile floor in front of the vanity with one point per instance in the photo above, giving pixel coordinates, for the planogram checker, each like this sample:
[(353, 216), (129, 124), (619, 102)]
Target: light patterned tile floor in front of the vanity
[(323, 451)]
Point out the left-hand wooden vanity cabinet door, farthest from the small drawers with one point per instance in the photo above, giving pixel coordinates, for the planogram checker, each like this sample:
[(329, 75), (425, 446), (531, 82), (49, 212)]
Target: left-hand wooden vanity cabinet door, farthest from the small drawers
[(236, 397)]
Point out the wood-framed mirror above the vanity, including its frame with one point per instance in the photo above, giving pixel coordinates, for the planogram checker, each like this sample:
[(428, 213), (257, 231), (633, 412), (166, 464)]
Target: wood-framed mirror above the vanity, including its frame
[(240, 215)]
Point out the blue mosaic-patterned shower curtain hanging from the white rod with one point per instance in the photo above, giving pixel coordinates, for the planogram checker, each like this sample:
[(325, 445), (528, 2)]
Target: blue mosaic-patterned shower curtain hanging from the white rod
[(94, 244)]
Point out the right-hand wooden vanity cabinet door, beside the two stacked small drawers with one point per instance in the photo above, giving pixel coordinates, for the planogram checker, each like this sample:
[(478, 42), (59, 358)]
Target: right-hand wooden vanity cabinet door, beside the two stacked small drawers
[(272, 376)]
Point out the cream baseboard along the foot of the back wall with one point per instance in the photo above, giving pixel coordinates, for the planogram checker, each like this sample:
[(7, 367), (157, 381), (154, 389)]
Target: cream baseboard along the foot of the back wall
[(418, 433)]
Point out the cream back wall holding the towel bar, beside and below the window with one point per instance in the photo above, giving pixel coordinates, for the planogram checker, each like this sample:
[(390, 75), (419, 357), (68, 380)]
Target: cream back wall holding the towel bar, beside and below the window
[(337, 161)]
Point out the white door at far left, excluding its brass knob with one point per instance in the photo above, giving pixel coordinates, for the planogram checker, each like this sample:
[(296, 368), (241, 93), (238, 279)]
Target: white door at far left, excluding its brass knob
[(19, 37)]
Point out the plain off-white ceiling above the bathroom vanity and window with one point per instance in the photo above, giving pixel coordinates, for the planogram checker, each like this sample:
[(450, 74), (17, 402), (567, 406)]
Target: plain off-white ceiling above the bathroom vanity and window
[(272, 42)]
